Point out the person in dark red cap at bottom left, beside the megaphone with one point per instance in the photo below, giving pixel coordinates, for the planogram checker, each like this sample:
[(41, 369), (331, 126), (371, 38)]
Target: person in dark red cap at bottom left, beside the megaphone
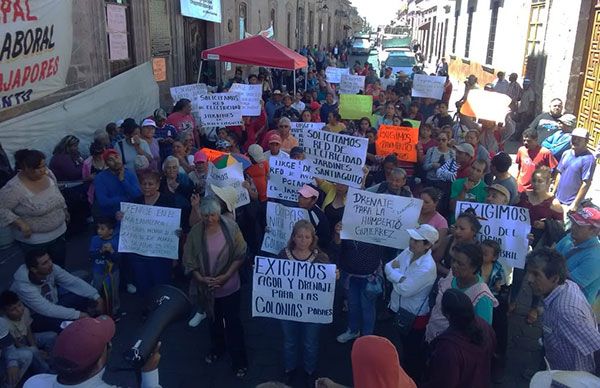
[(80, 356)]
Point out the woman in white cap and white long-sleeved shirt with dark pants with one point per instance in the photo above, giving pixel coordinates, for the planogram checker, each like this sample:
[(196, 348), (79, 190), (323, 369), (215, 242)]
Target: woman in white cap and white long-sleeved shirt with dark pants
[(412, 274)]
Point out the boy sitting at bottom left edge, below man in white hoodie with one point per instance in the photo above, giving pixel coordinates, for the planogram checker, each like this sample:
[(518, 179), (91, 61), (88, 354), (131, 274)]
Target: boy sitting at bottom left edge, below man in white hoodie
[(19, 322)]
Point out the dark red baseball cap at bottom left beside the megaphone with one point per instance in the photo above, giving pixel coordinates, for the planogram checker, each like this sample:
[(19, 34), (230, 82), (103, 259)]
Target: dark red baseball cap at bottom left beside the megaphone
[(82, 343)]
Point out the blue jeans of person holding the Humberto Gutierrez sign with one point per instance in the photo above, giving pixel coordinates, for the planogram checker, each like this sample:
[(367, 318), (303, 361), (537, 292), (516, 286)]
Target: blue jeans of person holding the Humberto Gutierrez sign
[(361, 307)]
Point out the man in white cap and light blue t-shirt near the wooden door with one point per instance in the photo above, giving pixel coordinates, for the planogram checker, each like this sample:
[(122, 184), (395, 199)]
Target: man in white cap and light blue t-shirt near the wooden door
[(575, 172)]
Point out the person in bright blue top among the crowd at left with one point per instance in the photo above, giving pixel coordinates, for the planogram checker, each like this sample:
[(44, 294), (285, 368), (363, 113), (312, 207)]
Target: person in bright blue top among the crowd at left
[(115, 185)]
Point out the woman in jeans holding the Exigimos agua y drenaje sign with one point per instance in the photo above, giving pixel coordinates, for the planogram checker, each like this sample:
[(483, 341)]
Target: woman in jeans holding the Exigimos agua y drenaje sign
[(302, 246)]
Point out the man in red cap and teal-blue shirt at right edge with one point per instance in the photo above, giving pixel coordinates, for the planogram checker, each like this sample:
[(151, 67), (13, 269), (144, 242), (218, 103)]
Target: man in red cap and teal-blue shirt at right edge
[(581, 248)]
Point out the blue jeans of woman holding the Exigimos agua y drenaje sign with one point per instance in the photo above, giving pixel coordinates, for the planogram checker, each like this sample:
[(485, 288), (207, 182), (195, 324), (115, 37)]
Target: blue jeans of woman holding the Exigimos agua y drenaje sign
[(294, 334)]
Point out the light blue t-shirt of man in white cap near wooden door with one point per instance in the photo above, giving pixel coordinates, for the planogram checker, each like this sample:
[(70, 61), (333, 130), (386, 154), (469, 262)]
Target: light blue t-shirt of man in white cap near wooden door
[(574, 169)]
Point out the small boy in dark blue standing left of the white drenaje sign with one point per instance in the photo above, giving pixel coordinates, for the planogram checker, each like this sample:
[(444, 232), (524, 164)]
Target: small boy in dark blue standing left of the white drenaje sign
[(105, 258)]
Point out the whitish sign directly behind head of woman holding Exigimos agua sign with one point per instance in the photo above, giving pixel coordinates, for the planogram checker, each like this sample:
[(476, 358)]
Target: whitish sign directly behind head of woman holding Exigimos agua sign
[(280, 222)]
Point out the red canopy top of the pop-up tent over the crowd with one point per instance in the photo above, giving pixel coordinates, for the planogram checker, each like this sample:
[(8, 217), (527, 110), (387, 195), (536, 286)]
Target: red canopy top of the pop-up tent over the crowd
[(258, 51)]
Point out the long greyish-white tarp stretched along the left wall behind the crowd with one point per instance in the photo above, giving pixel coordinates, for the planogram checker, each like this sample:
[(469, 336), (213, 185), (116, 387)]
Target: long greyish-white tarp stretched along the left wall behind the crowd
[(133, 93)]
